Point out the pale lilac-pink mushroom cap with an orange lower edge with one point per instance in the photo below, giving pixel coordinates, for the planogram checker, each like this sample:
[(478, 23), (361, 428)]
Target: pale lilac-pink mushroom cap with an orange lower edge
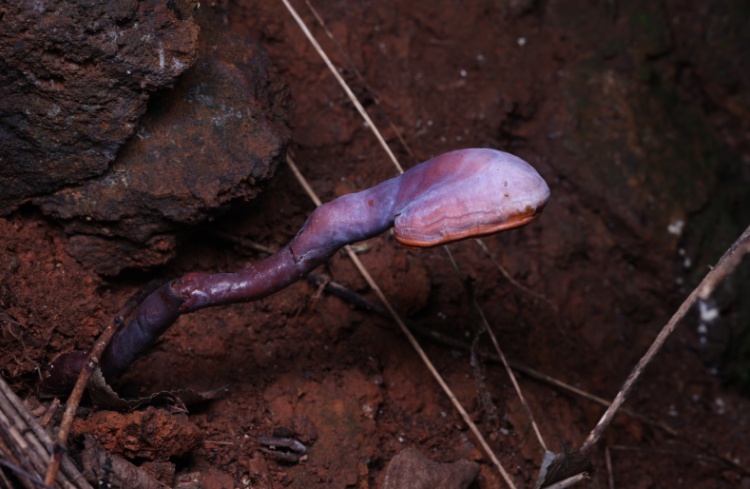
[(468, 193)]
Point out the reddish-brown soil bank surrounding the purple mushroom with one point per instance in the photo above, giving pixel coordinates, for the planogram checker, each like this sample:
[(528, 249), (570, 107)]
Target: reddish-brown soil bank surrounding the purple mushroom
[(344, 381)]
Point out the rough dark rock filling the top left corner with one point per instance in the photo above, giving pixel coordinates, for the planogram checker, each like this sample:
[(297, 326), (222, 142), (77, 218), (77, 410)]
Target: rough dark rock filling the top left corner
[(76, 77)]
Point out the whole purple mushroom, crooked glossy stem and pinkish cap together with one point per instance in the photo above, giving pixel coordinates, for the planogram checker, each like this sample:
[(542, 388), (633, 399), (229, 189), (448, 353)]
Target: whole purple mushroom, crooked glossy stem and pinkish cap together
[(454, 196)]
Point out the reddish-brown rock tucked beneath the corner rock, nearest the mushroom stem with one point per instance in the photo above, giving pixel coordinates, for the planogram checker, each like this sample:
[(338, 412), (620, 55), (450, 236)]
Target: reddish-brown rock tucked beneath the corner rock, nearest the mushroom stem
[(198, 147)]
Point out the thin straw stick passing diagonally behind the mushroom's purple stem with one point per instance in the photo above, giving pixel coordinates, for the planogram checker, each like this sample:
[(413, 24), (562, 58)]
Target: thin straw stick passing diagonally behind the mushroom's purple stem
[(415, 344)]
